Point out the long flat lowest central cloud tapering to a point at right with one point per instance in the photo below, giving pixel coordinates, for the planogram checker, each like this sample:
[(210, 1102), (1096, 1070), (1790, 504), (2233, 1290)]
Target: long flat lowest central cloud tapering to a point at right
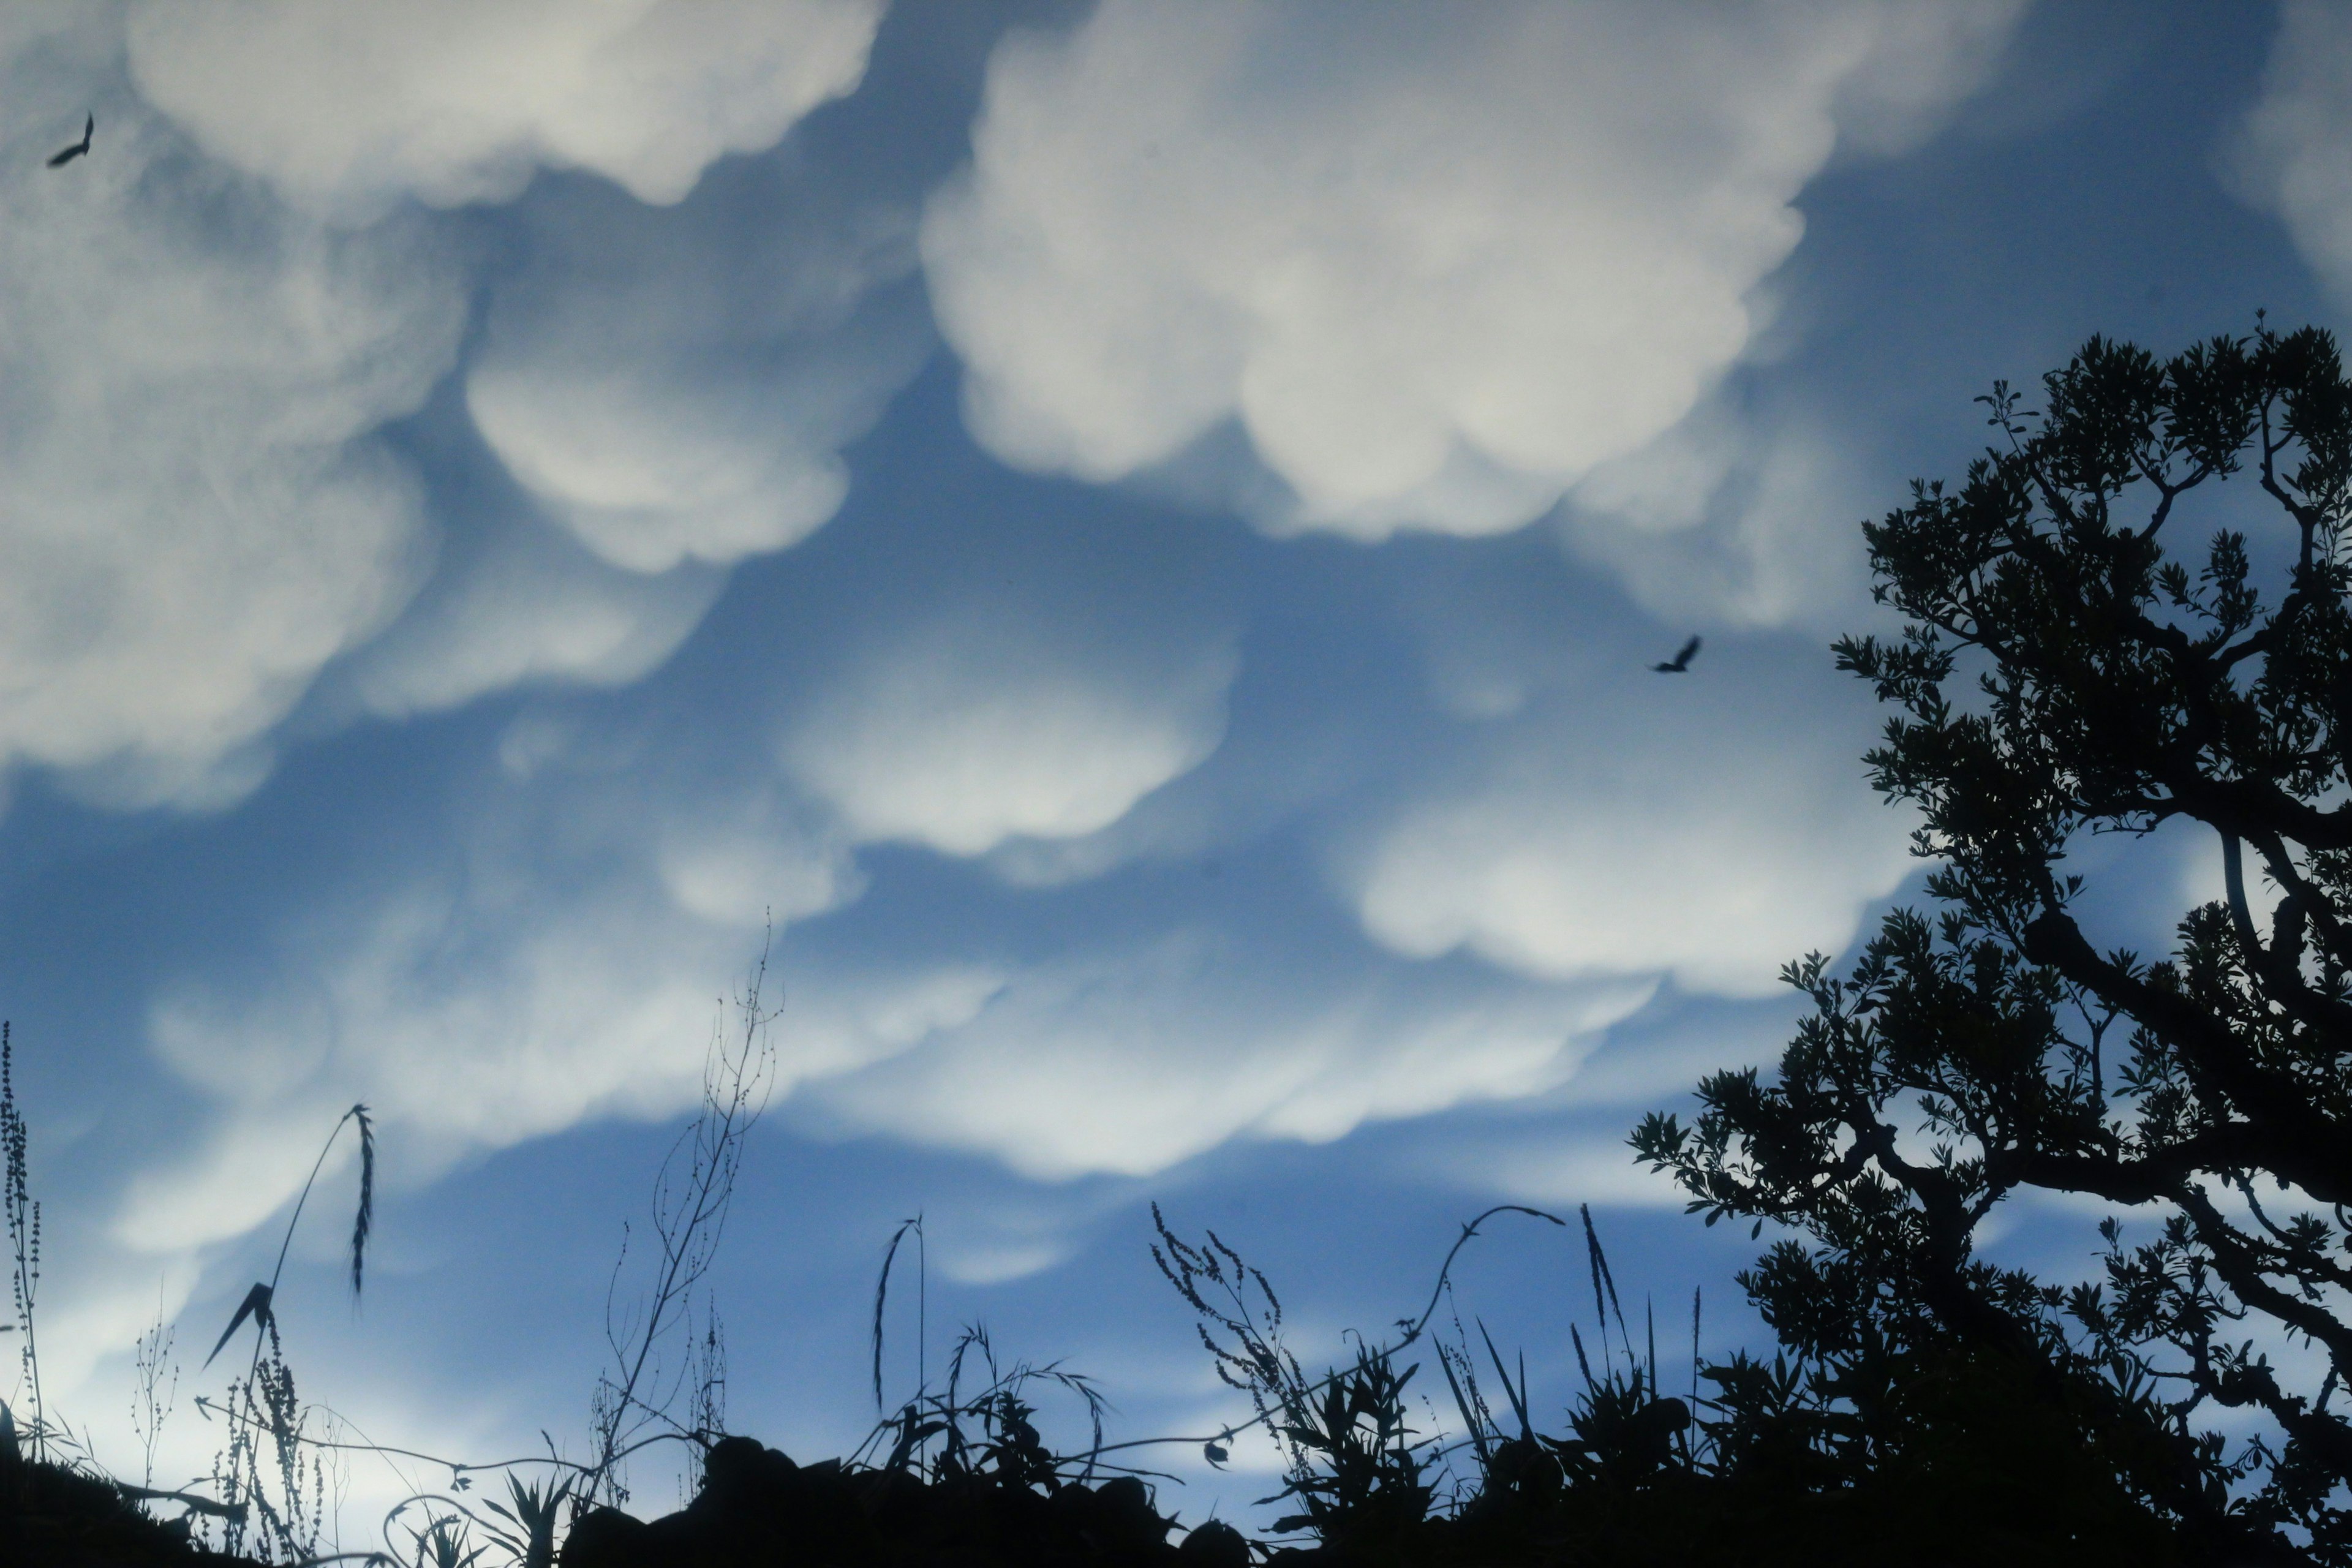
[(1140, 1057)]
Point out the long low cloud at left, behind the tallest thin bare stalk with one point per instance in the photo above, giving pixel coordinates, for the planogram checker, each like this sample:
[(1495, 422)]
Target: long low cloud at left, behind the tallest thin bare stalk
[(467, 1040)]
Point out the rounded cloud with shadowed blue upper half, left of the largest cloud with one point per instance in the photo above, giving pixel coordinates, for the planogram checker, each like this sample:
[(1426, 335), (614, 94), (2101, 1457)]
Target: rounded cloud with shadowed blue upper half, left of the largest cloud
[(676, 384)]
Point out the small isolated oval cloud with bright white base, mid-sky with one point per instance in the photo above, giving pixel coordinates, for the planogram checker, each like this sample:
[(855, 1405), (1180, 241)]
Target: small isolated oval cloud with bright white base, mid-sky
[(977, 730)]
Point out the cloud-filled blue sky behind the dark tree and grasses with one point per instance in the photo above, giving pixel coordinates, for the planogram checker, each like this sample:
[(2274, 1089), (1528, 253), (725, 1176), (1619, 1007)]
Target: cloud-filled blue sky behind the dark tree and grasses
[(1118, 544)]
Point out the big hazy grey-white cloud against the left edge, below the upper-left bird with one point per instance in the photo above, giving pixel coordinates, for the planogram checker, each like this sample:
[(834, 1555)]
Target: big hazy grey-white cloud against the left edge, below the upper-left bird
[(194, 509)]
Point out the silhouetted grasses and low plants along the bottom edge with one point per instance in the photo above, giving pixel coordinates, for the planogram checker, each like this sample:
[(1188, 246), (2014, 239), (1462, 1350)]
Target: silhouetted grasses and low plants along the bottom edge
[(1883, 1456)]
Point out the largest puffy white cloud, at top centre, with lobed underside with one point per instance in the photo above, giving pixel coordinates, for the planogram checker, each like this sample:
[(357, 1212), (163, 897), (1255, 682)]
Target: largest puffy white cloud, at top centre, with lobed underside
[(1436, 267)]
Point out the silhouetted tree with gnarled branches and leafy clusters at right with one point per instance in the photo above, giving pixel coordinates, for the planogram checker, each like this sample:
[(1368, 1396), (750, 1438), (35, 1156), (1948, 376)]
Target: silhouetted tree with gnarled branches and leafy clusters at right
[(2064, 676)]
